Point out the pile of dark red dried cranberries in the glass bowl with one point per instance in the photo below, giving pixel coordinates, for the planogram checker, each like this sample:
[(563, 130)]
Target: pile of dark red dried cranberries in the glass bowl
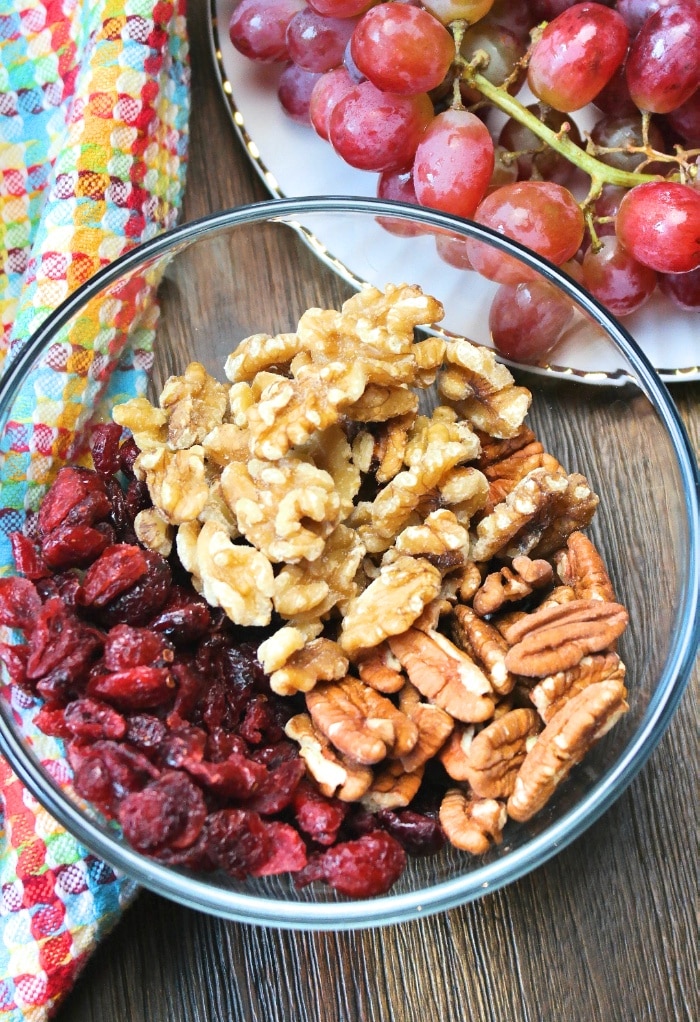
[(169, 721)]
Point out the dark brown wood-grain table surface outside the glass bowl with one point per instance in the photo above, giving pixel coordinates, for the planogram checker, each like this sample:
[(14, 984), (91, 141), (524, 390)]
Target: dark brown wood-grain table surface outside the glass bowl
[(605, 932)]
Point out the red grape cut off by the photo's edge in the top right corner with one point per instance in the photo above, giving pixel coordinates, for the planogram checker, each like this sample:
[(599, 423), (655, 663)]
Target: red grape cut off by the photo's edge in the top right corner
[(663, 67)]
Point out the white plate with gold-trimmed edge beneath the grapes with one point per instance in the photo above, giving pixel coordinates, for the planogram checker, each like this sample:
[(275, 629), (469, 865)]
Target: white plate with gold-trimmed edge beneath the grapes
[(293, 161)]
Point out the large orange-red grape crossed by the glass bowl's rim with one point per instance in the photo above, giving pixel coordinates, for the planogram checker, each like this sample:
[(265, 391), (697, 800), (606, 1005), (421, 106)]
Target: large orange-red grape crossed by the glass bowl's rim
[(541, 215)]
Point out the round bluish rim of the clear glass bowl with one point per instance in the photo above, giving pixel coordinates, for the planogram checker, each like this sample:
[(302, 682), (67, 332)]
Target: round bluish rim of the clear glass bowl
[(390, 909)]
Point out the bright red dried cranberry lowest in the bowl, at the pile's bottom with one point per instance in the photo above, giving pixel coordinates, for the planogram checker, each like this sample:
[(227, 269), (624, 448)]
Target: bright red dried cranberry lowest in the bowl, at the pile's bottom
[(359, 869)]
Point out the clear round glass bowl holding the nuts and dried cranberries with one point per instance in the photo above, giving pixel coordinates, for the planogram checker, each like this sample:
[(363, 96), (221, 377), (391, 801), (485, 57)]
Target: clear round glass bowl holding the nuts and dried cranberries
[(597, 405)]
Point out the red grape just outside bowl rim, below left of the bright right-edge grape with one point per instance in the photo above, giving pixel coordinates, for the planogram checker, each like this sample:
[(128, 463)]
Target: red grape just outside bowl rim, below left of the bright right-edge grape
[(617, 280)]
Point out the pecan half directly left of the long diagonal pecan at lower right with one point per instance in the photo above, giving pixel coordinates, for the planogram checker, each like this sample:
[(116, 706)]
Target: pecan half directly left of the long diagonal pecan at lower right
[(497, 754)]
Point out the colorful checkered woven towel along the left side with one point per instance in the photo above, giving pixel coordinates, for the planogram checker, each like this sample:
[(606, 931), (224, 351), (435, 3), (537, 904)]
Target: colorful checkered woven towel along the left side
[(94, 134)]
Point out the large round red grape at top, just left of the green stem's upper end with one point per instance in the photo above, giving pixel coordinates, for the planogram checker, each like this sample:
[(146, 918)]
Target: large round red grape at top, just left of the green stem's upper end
[(402, 50)]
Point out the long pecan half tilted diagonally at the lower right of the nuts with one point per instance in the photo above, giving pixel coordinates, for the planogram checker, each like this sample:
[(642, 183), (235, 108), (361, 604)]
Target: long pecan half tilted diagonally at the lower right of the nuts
[(564, 744)]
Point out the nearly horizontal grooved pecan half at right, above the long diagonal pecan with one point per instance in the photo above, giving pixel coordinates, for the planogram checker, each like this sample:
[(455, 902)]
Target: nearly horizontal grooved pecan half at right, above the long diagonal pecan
[(561, 637)]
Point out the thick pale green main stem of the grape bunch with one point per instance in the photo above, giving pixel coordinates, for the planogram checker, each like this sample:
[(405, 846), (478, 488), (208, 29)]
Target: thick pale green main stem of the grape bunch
[(600, 173)]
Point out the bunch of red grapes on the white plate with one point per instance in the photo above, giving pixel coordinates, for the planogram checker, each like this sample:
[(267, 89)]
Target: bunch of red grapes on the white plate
[(408, 90)]
